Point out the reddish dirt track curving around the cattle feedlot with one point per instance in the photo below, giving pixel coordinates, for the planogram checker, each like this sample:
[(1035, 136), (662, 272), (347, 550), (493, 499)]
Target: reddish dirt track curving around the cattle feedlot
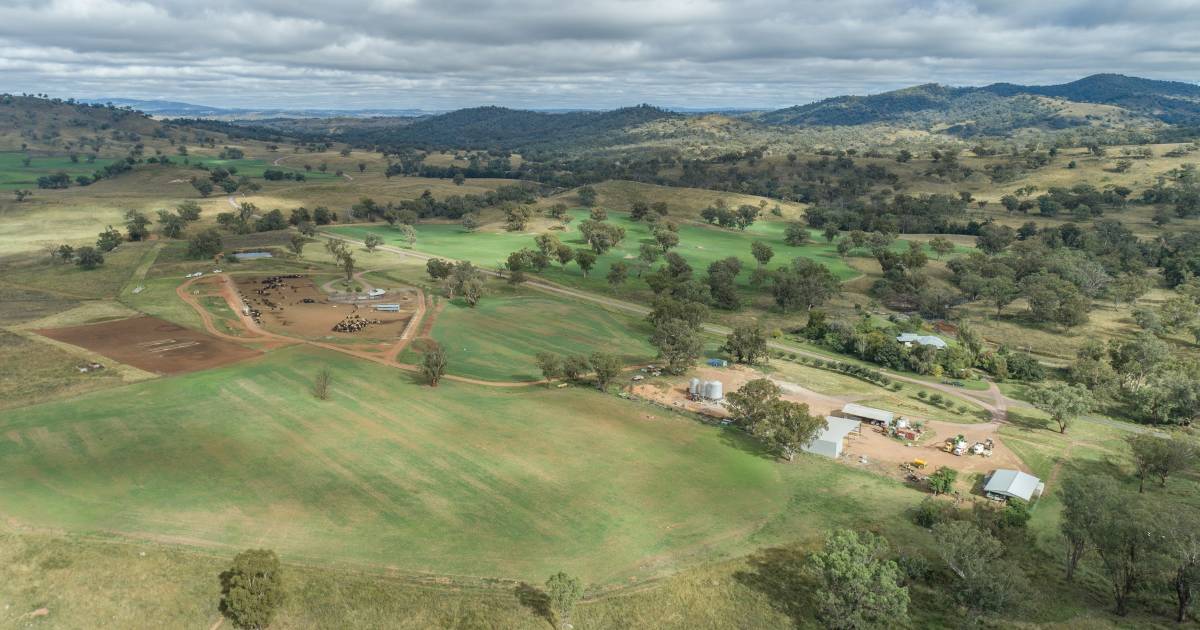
[(272, 340)]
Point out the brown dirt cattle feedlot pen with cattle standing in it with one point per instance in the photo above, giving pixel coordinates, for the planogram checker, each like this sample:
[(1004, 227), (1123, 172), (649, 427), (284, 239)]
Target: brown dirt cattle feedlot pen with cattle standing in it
[(297, 307)]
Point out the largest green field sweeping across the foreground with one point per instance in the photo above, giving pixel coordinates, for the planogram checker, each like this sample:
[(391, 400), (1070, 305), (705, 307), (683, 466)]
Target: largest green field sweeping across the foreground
[(389, 473)]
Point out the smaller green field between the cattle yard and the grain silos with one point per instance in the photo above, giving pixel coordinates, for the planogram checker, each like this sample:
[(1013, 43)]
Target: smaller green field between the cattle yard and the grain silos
[(500, 338)]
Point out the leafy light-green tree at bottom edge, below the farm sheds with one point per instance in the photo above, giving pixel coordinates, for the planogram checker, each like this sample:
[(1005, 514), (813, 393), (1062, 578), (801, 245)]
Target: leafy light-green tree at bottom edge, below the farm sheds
[(859, 587)]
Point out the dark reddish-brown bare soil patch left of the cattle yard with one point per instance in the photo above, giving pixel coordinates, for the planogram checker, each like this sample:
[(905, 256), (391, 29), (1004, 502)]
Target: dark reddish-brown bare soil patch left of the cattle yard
[(153, 345)]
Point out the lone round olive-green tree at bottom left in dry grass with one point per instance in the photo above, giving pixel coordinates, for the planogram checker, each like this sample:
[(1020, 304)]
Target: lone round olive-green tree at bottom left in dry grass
[(253, 590)]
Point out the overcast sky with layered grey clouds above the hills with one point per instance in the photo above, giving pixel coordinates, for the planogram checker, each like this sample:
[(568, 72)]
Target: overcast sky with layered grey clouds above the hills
[(443, 55)]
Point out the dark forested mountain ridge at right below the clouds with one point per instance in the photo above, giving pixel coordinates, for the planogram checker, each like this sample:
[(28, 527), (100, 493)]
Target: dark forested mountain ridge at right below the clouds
[(1173, 103)]
